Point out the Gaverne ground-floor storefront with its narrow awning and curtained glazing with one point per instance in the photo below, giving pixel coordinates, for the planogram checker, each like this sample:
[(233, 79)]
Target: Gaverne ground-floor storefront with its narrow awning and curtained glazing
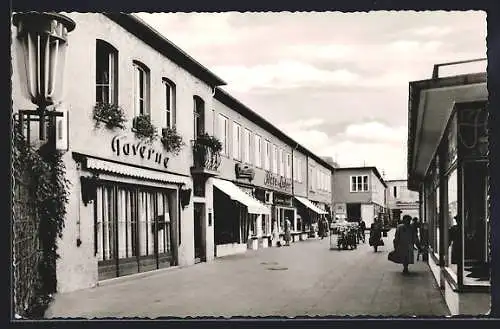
[(135, 210)]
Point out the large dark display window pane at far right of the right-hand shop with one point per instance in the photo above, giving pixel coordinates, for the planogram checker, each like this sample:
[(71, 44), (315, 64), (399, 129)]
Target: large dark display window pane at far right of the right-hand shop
[(476, 223)]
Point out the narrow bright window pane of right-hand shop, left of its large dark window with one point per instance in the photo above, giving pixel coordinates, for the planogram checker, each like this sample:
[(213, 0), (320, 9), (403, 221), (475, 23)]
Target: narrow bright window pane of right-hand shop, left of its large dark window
[(452, 222)]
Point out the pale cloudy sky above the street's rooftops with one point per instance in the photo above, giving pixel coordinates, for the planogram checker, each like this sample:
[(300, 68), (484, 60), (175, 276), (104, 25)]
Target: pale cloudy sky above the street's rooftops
[(337, 83)]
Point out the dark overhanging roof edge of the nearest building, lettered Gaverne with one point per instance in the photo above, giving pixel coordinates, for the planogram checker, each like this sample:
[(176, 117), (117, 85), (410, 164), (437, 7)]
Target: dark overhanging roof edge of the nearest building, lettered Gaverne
[(153, 38)]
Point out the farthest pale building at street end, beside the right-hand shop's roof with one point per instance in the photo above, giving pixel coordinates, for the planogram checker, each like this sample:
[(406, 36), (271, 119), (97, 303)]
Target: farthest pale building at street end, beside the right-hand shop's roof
[(400, 200)]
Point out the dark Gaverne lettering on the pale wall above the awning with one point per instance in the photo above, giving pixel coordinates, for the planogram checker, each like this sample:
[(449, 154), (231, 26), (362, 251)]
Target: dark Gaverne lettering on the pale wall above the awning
[(127, 147)]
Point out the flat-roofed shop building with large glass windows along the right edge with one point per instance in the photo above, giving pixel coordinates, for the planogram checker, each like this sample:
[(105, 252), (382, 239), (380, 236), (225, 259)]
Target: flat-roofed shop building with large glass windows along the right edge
[(448, 166)]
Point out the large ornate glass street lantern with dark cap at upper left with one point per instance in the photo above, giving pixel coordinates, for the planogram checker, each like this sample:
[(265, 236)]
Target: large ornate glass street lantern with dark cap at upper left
[(43, 40)]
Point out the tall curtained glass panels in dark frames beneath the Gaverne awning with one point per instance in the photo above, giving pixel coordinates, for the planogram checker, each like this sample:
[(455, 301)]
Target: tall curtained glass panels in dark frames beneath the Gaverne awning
[(132, 229)]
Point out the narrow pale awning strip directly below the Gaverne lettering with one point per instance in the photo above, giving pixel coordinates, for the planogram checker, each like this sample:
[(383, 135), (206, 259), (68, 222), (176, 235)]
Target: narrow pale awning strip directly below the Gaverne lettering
[(143, 173)]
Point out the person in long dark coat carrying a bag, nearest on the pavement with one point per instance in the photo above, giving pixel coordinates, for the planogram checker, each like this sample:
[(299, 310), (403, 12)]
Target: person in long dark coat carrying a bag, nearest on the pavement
[(404, 240)]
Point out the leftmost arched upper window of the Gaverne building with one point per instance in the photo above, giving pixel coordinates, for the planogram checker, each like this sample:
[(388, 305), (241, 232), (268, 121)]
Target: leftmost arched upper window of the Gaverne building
[(106, 75)]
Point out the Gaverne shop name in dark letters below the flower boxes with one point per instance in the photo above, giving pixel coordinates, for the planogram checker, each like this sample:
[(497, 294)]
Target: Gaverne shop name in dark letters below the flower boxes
[(120, 146)]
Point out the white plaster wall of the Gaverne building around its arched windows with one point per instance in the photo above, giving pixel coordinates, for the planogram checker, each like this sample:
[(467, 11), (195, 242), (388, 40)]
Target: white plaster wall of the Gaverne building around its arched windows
[(77, 267)]
